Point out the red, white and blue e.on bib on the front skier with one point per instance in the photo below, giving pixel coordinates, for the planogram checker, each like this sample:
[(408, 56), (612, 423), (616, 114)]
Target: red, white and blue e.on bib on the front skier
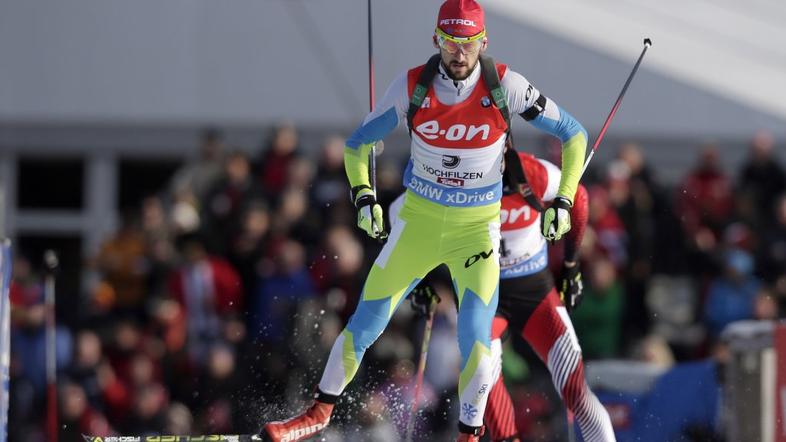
[(457, 148)]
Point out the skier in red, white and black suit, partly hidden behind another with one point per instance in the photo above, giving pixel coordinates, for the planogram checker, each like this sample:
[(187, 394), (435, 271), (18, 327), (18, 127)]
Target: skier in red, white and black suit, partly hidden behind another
[(530, 304)]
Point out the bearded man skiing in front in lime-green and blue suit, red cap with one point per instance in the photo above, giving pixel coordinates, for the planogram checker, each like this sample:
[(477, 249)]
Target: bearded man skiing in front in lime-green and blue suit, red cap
[(457, 108)]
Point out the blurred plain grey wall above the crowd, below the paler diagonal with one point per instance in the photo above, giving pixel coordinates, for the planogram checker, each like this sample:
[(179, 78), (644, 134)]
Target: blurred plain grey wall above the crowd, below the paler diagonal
[(257, 61)]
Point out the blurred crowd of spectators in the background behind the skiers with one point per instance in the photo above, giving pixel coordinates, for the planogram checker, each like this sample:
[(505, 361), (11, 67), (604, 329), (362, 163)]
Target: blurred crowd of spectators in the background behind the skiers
[(213, 307)]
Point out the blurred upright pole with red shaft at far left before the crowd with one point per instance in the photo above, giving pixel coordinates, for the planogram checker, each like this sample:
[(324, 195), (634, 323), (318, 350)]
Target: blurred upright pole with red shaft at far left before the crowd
[(51, 264)]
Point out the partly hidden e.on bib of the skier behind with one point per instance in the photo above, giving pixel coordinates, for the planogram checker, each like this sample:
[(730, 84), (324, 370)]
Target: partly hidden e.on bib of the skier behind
[(523, 248)]
